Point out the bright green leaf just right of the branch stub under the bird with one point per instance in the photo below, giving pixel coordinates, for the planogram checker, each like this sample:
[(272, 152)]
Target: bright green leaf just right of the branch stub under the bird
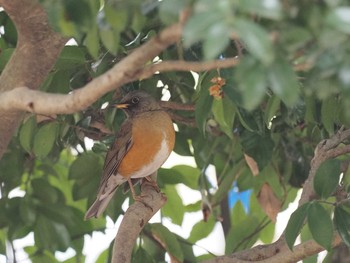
[(174, 200)]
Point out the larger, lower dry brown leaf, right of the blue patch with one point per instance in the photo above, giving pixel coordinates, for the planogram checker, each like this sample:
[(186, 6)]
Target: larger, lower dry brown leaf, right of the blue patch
[(269, 202)]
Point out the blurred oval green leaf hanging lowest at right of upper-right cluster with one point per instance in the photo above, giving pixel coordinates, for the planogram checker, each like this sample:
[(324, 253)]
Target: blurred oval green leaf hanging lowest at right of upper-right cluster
[(283, 81)]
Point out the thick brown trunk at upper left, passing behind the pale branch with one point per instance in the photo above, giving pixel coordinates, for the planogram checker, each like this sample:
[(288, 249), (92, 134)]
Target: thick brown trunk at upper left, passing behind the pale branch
[(31, 61)]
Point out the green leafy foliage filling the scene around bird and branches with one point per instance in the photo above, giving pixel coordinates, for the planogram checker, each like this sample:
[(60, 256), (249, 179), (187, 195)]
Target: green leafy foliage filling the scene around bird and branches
[(289, 91)]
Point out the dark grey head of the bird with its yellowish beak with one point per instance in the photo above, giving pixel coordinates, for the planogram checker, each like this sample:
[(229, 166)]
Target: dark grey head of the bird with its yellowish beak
[(136, 102)]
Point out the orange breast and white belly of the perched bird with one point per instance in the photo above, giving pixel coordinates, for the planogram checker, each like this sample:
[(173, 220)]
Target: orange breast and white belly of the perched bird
[(153, 139)]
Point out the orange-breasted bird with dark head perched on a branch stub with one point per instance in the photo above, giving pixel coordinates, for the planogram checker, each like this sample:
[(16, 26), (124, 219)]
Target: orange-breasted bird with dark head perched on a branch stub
[(143, 143)]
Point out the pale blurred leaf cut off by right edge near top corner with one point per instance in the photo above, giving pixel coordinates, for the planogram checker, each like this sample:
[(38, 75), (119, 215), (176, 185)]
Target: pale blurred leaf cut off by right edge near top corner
[(338, 18)]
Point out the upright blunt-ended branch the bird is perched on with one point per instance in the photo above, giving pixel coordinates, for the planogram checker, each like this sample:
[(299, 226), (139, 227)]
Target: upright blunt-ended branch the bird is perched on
[(134, 220)]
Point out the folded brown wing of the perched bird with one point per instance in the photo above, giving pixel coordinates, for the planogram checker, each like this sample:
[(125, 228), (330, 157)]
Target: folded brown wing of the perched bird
[(116, 153)]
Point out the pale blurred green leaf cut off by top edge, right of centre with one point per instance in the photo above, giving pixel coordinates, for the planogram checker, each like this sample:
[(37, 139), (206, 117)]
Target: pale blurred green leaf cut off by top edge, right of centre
[(265, 8)]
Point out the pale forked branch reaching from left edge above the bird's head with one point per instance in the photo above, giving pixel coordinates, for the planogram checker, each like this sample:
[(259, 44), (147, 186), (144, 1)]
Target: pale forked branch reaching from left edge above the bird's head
[(127, 70)]
